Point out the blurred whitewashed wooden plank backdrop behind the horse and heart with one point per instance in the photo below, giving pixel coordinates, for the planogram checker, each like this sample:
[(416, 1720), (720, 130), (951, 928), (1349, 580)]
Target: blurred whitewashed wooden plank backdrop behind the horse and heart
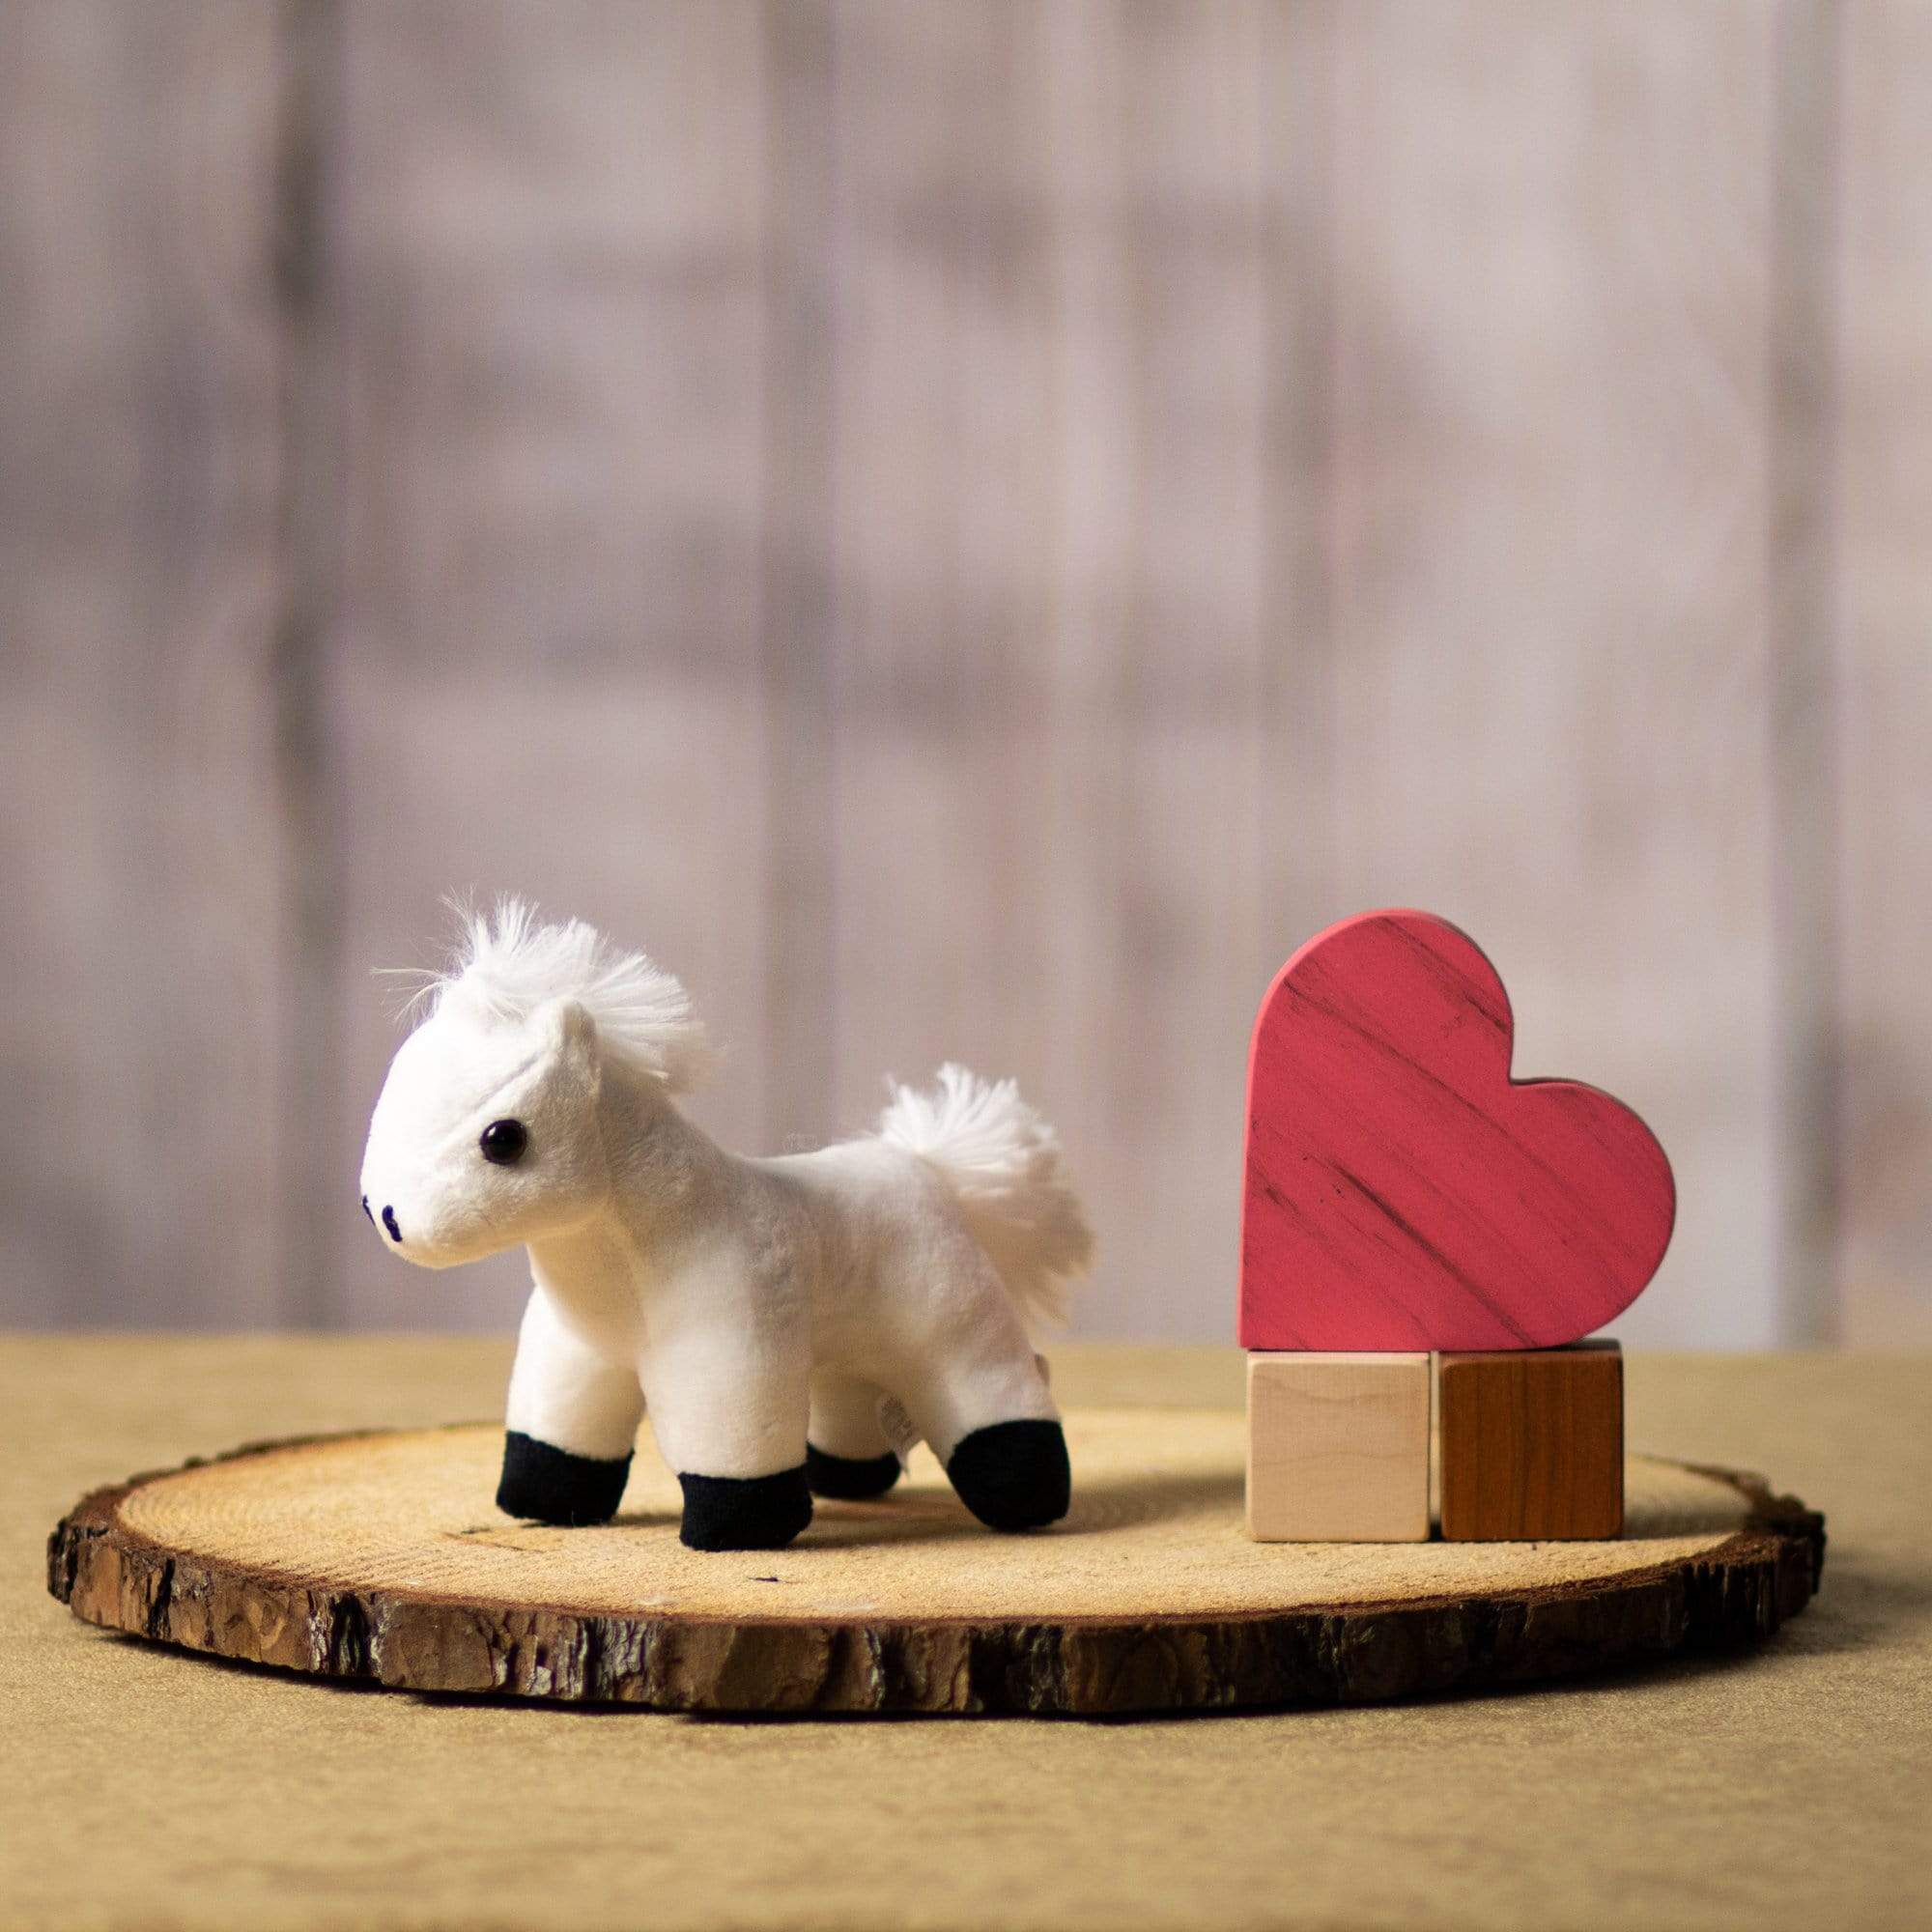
[(969, 532)]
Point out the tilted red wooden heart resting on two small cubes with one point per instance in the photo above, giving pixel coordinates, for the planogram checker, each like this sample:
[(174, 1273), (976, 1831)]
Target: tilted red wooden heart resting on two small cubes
[(1404, 1191)]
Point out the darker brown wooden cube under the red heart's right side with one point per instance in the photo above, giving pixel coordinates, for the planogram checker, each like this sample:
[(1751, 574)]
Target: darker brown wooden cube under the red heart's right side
[(1533, 1444)]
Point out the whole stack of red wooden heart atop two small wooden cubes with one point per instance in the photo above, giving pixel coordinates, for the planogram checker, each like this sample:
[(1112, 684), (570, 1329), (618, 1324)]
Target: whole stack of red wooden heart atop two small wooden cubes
[(1413, 1216)]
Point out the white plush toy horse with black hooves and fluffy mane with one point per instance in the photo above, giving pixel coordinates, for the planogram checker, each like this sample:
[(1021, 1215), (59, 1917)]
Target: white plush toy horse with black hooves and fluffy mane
[(781, 1321)]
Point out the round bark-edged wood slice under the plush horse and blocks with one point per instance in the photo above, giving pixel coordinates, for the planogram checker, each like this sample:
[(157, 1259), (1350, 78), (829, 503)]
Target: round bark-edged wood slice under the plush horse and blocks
[(382, 1558)]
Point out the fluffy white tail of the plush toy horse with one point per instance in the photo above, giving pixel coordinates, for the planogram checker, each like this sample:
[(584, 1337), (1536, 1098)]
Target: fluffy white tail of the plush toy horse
[(1004, 1164)]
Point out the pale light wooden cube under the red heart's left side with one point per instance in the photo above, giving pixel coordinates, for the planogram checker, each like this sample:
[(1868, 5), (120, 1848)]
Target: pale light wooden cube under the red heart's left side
[(1338, 1448)]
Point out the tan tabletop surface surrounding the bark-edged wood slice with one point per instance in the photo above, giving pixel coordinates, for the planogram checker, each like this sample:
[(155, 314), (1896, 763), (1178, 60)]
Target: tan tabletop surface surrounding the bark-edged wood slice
[(150, 1788)]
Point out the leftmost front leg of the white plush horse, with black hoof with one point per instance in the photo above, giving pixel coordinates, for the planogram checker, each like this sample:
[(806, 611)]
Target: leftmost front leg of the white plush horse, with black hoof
[(573, 1421)]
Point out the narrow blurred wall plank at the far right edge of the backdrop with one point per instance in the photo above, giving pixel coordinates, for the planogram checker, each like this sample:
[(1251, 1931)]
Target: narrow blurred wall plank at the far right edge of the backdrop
[(1883, 668)]
